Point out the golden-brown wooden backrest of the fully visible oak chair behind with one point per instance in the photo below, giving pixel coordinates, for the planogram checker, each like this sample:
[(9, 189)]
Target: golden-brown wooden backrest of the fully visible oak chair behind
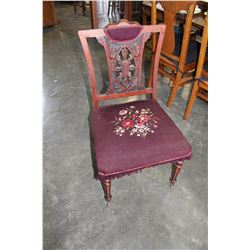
[(171, 10)]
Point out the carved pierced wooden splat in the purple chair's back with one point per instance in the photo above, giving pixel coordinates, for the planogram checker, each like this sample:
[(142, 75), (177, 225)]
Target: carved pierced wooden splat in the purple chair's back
[(124, 59)]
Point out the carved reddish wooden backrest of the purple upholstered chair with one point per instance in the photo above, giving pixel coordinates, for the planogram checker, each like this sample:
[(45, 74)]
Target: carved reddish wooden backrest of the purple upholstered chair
[(124, 45)]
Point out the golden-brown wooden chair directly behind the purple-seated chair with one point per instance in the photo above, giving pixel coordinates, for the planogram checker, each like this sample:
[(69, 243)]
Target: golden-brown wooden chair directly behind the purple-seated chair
[(179, 53)]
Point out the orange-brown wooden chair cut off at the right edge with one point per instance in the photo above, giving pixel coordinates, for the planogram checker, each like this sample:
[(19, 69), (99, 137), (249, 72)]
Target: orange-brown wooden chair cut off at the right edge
[(200, 87)]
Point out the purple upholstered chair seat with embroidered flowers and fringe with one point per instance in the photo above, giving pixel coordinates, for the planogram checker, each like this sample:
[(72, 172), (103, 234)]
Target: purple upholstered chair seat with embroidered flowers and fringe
[(152, 136)]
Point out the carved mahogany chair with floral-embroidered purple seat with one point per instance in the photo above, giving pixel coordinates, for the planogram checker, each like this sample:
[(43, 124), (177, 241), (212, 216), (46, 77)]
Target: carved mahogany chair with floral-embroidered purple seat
[(131, 136)]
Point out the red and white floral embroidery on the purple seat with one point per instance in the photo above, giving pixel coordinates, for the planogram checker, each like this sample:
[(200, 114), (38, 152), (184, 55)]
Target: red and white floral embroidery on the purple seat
[(135, 122)]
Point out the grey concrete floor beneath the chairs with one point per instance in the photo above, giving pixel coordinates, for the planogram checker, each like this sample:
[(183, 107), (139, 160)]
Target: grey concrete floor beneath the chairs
[(145, 213)]
